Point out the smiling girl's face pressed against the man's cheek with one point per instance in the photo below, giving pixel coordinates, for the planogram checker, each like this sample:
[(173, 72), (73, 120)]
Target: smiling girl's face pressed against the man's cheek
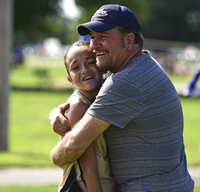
[(82, 69)]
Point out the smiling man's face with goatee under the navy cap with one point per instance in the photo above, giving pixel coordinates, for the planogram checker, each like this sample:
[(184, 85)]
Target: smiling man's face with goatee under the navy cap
[(108, 48)]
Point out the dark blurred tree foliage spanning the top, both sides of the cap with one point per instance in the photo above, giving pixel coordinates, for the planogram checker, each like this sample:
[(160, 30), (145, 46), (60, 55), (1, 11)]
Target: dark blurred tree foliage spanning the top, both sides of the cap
[(167, 19)]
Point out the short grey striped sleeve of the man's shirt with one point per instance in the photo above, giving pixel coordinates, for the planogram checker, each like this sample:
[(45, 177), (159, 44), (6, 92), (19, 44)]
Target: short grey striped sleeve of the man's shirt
[(118, 102)]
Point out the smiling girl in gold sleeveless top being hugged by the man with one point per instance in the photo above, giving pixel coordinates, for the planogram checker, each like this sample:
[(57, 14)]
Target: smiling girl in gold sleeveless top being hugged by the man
[(92, 171)]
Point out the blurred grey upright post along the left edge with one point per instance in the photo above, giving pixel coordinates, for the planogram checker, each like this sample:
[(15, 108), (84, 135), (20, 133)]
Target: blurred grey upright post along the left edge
[(5, 63)]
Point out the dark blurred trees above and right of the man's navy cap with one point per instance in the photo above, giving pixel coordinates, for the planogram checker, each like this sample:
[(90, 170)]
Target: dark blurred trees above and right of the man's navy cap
[(166, 19)]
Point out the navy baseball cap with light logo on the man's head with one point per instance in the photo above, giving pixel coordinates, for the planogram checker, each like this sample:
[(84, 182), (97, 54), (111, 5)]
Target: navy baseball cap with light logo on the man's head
[(110, 16)]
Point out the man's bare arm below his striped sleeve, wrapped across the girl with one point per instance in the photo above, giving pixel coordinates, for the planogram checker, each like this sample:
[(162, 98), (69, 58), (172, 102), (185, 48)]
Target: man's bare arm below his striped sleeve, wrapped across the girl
[(76, 141)]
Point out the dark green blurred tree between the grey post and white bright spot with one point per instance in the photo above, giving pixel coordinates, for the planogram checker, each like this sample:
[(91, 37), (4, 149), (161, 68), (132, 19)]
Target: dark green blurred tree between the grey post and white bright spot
[(36, 20)]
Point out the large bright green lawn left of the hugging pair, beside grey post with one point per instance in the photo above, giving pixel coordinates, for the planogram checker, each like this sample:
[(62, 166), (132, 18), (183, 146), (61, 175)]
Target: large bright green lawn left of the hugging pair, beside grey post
[(30, 135)]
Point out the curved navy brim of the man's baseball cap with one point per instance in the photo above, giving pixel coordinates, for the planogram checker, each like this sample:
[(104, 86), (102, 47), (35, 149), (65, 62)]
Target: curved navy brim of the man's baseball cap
[(96, 26)]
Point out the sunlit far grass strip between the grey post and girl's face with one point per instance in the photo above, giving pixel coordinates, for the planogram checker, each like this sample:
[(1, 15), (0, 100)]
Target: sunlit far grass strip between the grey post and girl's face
[(23, 76)]
